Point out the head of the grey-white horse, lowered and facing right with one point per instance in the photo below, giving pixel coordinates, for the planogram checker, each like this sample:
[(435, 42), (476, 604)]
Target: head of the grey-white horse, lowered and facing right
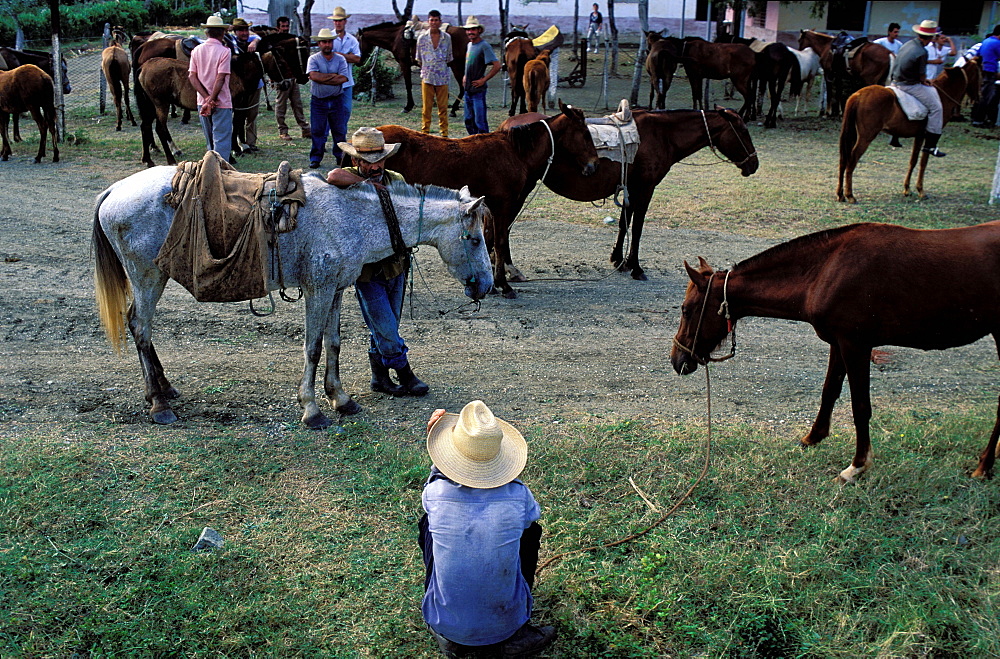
[(462, 244)]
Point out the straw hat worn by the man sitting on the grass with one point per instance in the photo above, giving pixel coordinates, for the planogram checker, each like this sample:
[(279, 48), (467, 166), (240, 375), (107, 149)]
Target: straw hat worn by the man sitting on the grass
[(476, 449)]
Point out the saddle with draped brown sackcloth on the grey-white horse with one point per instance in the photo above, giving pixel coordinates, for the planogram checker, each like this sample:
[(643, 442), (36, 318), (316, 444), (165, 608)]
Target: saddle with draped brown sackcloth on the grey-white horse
[(224, 222)]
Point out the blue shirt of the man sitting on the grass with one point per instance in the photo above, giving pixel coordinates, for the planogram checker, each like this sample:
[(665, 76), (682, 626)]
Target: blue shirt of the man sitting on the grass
[(477, 594)]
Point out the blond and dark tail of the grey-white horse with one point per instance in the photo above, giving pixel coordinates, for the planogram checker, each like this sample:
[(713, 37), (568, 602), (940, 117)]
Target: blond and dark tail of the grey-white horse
[(111, 287)]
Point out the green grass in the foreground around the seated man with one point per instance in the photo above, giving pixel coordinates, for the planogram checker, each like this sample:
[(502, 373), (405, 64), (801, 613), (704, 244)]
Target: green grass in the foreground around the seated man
[(768, 558)]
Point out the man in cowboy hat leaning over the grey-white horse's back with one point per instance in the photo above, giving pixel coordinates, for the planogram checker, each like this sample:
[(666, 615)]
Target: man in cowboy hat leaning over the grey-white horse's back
[(381, 285)]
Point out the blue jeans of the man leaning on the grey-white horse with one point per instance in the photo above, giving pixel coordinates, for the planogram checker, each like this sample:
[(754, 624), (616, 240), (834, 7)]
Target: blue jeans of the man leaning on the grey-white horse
[(381, 303)]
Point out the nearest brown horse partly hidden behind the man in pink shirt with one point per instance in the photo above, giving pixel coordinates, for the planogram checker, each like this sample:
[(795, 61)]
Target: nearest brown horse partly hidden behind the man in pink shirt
[(164, 82)]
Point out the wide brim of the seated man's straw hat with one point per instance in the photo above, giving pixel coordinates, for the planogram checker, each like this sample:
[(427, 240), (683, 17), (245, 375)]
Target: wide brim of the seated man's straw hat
[(505, 467)]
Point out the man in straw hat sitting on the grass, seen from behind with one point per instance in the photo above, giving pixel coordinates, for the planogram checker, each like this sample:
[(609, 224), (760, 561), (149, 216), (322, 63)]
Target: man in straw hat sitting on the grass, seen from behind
[(479, 537)]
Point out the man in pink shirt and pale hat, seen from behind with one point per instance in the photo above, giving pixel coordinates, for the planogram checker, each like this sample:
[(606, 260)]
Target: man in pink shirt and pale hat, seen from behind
[(208, 72)]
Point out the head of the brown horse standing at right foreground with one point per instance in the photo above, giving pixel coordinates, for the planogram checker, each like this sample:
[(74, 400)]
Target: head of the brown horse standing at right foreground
[(704, 324)]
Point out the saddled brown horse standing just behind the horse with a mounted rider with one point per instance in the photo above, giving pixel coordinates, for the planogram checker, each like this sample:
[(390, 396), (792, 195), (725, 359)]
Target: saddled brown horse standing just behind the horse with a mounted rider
[(868, 66)]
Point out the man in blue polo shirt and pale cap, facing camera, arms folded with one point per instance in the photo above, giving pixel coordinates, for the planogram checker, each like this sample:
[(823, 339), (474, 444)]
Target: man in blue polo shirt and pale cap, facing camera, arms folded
[(328, 71)]
